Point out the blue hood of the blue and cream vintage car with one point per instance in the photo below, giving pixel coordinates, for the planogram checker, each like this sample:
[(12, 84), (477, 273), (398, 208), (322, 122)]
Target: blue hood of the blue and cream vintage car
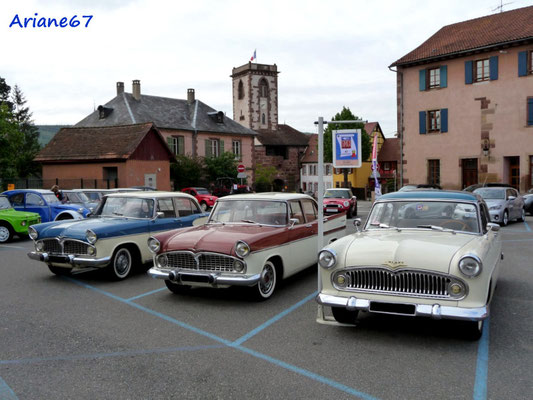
[(103, 227)]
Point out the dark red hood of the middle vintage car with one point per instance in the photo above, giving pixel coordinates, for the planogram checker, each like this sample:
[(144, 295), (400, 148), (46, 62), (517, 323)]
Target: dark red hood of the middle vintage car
[(220, 238)]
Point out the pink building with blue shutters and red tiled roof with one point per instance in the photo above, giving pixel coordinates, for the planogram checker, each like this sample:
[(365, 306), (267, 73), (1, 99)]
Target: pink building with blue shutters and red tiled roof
[(465, 104)]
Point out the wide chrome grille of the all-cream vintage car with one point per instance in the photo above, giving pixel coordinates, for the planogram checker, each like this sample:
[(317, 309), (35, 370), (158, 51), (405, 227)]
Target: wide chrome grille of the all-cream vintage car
[(406, 282)]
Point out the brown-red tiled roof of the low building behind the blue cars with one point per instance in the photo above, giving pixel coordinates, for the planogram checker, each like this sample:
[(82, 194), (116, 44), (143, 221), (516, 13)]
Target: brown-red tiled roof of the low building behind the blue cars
[(95, 143)]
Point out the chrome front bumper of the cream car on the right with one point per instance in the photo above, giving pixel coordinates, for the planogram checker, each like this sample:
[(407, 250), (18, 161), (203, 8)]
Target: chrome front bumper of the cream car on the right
[(435, 311)]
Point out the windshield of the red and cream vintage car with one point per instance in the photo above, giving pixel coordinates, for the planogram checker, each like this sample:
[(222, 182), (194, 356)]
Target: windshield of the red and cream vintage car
[(250, 212)]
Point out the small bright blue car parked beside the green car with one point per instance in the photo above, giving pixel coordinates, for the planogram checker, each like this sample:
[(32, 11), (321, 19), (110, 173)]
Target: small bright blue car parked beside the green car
[(46, 204)]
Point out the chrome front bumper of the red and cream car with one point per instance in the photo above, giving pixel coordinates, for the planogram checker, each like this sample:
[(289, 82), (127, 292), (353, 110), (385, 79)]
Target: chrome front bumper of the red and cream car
[(210, 278)]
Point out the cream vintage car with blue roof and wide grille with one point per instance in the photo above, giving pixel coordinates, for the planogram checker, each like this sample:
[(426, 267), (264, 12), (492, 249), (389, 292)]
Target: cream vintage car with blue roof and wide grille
[(440, 267)]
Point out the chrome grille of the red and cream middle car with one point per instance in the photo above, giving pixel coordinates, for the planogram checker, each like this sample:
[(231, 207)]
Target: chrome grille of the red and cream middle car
[(202, 261)]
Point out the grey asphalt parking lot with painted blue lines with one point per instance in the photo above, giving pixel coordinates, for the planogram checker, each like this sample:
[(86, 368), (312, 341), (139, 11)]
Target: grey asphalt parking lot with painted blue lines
[(84, 337)]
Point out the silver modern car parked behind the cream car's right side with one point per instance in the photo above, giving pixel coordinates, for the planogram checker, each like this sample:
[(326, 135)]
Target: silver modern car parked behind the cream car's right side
[(505, 204)]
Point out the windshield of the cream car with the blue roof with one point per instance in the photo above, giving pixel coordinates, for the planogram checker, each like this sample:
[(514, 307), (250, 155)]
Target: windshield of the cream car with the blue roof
[(435, 215)]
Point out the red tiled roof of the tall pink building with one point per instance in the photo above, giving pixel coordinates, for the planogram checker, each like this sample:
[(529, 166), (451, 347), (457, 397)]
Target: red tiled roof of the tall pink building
[(493, 30)]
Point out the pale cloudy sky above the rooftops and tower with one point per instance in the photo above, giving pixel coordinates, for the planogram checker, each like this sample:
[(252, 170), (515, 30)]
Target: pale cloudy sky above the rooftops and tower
[(330, 53)]
